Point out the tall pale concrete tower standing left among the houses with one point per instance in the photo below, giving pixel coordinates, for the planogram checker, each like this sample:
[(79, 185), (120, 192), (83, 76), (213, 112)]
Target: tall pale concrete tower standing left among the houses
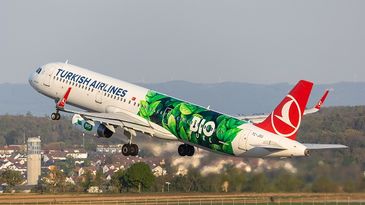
[(33, 160)]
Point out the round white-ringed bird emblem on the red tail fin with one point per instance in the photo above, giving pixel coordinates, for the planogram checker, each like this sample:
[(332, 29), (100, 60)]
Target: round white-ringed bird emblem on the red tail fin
[(286, 121)]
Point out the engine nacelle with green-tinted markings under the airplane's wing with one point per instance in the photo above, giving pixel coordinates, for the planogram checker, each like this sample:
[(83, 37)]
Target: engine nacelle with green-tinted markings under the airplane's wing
[(95, 128)]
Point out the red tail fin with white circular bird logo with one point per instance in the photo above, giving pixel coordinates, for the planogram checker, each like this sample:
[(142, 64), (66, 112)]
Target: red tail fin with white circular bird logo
[(287, 116)]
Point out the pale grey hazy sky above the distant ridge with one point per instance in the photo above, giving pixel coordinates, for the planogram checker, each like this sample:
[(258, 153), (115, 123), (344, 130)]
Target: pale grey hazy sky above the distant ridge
[(200, 41)]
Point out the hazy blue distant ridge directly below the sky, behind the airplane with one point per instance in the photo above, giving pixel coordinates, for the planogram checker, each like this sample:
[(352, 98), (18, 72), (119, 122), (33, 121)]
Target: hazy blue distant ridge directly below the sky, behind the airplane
[(228, 97)]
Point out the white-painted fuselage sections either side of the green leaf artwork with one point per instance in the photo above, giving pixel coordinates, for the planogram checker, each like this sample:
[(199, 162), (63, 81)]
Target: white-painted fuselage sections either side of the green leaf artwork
[(99, 93)]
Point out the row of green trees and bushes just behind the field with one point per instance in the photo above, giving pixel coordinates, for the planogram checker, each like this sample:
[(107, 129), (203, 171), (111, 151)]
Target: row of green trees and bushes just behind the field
[(139, 178)]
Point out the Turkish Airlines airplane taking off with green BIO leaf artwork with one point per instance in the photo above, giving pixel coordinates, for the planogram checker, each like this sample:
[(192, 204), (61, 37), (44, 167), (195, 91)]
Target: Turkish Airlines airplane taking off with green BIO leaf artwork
[(110, 103)]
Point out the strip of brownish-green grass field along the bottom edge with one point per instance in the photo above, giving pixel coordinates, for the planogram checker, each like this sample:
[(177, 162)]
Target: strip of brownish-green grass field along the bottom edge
[(183, 199)]
